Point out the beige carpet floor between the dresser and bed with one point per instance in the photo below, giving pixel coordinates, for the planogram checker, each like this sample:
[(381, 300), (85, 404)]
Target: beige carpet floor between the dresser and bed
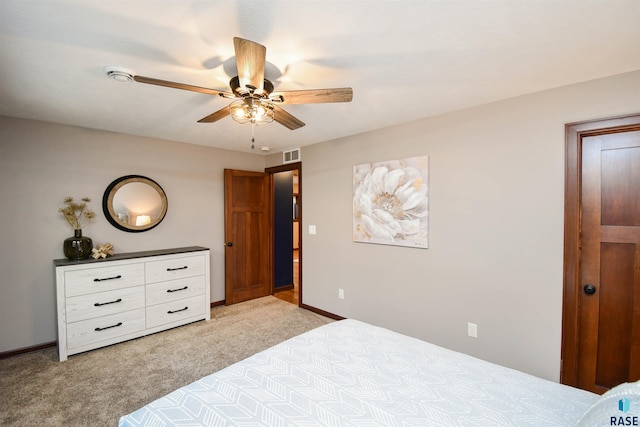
[(97, 387)]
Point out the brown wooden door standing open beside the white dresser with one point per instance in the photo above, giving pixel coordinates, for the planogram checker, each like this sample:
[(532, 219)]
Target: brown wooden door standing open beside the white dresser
[(248, 235)]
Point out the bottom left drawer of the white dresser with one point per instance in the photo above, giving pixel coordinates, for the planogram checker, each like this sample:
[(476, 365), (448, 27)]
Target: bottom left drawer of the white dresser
[(86, 332)]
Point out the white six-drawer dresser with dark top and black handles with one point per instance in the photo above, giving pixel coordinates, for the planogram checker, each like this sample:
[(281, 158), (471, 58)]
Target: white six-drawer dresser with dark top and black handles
[(103, 302)]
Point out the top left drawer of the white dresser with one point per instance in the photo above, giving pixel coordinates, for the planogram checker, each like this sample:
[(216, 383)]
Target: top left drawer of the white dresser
[(91, 280)]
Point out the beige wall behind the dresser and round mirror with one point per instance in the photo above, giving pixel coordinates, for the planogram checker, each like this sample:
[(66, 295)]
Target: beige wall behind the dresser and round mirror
[(42, 163)]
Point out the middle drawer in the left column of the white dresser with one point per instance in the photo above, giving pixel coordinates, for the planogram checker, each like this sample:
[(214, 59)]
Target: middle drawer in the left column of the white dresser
[(99, 304)]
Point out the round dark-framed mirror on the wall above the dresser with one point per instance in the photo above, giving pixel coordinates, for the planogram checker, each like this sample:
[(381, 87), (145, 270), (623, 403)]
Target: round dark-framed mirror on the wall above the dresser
[(134, 203)]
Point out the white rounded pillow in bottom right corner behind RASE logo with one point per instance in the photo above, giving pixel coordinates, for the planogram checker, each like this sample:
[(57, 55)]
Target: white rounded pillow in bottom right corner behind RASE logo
[(619, 406)]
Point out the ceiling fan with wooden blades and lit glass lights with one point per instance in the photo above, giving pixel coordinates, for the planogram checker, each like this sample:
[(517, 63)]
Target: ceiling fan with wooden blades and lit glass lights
[(256, 102)]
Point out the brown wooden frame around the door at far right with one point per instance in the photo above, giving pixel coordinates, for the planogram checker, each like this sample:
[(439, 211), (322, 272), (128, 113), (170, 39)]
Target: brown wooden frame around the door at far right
[(574, 133)]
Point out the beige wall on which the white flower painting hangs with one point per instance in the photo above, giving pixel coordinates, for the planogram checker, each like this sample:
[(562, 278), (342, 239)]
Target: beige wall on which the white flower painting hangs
[(495, 218)]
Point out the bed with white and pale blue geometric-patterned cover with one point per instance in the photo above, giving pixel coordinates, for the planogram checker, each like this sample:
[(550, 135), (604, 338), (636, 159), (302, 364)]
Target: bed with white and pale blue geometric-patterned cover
[(349, 373)]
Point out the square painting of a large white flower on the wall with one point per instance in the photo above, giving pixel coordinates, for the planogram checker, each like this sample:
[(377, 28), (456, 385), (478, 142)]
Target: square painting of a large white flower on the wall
[(390, 202)]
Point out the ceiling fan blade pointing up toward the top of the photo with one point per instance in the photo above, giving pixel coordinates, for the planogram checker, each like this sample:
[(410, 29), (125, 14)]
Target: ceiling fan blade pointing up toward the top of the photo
[(250, 60)]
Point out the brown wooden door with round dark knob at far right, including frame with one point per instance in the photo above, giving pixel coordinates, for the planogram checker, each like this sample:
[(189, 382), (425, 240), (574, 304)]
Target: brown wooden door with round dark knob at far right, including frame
[(601, 313)]
